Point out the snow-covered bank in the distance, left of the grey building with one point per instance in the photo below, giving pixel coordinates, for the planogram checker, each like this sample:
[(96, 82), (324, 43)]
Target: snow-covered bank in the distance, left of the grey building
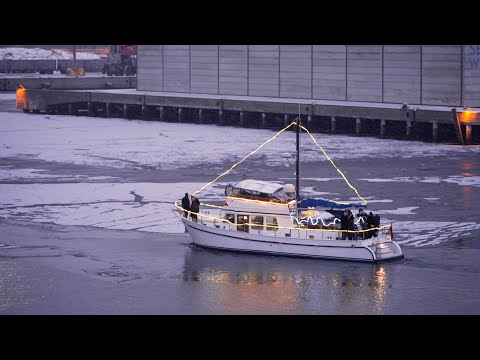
[(42, 54)]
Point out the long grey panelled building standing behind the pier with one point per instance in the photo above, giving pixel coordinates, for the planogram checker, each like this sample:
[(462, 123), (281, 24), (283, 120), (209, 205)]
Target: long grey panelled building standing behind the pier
[(418, 74)]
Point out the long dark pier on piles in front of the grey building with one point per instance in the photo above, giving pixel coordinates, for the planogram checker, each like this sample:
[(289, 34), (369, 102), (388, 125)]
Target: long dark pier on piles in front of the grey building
[(414, 122)]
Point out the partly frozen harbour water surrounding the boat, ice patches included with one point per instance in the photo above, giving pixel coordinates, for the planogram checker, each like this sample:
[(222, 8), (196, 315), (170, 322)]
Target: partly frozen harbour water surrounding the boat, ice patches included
[(86, 225)]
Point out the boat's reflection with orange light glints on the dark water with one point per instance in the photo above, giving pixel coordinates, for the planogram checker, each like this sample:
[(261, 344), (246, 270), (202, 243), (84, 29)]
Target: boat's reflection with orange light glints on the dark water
[(230, 283)]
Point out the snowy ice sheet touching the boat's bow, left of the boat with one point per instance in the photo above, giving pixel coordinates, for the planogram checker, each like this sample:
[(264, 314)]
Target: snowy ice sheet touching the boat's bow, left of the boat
[(139, 206)]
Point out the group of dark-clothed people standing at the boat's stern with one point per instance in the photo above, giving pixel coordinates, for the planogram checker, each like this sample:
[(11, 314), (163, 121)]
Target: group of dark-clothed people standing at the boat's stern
[(364, 222)]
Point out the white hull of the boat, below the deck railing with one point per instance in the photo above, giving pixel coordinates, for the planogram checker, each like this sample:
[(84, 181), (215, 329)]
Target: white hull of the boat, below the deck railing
[(231, 240)]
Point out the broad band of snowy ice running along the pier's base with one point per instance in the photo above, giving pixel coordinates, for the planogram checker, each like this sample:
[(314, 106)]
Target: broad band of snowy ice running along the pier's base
[(134, 143)]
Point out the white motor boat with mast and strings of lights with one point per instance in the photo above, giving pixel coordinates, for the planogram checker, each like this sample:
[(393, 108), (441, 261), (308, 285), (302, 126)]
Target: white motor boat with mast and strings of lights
[(271, 218)]
